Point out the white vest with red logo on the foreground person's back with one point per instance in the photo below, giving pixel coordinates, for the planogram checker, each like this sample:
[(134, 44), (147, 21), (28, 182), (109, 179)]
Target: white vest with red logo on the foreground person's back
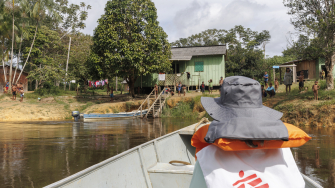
[(260, 168)]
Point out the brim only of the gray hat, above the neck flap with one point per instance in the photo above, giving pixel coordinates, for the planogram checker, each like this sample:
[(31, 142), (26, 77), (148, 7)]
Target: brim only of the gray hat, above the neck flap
[(222, 113)]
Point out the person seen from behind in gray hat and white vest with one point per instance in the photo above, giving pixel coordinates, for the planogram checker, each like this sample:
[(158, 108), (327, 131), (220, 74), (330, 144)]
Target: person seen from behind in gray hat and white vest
[(240, 114)]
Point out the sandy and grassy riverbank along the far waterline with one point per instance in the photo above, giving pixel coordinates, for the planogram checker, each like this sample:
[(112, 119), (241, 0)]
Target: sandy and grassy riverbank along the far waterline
[(298, 108)]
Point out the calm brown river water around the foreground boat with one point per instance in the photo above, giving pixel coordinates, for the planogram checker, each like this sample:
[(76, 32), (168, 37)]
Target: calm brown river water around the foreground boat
[(40, 153)]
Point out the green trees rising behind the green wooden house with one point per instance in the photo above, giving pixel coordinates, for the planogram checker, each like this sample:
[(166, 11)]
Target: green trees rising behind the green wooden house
[(246, 55)]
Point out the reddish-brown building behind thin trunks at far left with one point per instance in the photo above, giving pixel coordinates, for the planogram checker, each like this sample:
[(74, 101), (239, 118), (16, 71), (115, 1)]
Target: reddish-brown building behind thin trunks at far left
[(23, 79)]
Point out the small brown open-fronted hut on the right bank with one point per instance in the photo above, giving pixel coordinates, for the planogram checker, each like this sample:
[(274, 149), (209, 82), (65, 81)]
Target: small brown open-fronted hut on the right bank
[(312, 68)]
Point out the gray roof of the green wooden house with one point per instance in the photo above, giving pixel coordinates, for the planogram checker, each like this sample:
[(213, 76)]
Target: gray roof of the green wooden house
[(186, 53)]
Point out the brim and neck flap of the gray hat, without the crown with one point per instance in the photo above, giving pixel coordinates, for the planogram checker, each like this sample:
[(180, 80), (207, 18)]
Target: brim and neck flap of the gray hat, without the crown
[(261, 123)]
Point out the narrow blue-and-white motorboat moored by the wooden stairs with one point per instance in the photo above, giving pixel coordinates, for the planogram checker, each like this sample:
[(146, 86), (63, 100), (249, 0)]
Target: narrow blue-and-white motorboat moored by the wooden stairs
[(89, 117)]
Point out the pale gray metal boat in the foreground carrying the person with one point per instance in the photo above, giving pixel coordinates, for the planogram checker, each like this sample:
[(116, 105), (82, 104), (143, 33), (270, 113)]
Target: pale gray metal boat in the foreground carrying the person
[(146, 165)]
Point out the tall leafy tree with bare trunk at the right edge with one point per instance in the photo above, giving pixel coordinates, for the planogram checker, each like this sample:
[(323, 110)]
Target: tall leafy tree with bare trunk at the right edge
[(316, 23)]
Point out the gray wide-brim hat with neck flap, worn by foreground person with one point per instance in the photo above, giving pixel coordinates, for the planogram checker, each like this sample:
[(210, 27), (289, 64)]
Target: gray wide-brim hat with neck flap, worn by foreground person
[(240, 114)]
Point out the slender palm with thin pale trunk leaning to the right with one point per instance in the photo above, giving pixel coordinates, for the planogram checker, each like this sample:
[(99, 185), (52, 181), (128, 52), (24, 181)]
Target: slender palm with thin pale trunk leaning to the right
[(40, 9)]
